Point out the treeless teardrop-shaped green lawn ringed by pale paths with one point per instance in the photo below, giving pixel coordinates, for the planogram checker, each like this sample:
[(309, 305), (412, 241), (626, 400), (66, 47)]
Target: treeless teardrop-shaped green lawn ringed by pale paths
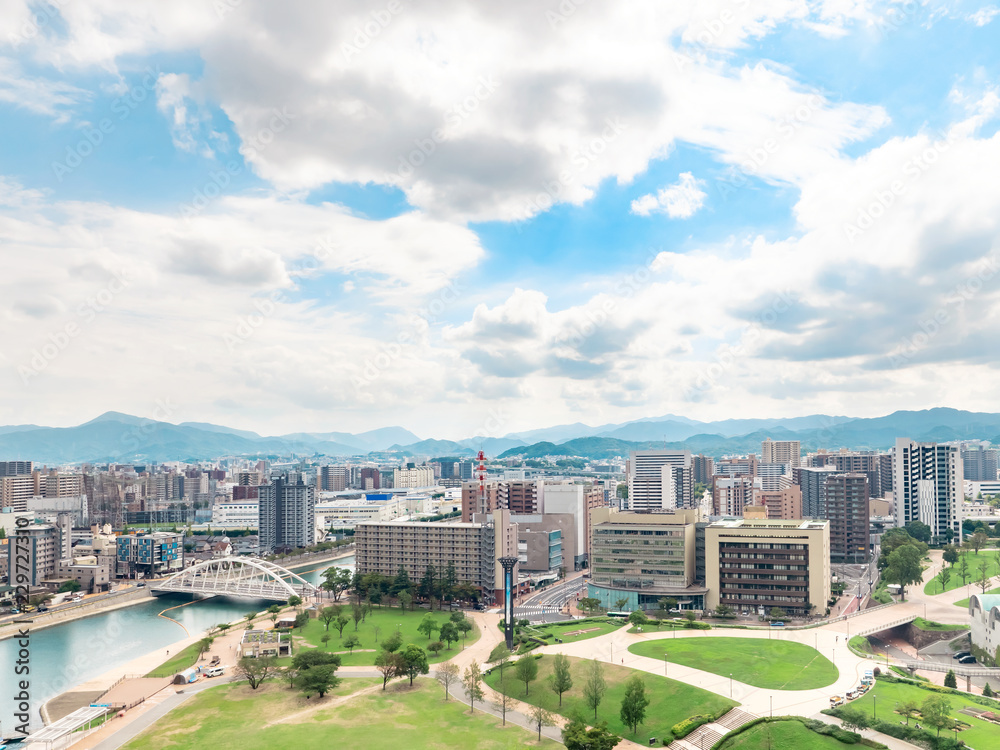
[(771, 664)]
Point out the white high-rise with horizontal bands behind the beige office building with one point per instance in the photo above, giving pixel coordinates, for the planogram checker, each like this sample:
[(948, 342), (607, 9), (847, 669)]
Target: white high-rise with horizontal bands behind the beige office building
[(660, 480)]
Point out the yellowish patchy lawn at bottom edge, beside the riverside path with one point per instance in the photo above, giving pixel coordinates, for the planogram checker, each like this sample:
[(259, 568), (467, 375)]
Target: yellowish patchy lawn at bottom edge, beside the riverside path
[(233, 717)]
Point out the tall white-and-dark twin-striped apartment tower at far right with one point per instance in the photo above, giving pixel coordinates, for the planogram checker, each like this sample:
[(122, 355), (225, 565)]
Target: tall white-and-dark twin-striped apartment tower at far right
[(927, 486)]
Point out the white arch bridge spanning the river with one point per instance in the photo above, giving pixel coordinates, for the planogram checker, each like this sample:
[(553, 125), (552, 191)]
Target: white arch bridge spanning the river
[(240, 577)]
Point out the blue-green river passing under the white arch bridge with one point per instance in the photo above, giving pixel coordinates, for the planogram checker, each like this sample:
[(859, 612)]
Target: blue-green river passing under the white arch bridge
[(63, 656)]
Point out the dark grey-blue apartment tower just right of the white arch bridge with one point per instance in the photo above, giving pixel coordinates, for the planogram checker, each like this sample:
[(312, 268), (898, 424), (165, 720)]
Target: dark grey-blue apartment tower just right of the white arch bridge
[(286, 514)]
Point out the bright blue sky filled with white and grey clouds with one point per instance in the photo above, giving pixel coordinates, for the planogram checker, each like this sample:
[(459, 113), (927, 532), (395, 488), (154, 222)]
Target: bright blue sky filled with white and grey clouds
[(479, 218)]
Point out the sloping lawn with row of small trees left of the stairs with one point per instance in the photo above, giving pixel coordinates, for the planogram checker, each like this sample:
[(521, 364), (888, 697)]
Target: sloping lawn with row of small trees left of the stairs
[(670, 701)]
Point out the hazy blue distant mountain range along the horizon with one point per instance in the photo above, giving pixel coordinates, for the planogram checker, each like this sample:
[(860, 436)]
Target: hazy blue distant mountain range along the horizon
[(123, 438)]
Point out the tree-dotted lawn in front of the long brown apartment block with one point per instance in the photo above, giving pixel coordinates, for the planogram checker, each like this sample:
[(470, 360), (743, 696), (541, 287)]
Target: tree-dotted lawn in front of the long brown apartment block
[(387, 620)]
